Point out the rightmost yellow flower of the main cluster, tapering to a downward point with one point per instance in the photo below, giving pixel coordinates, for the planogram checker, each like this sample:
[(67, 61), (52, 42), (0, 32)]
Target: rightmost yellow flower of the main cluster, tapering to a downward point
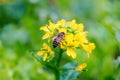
[(89, 48)]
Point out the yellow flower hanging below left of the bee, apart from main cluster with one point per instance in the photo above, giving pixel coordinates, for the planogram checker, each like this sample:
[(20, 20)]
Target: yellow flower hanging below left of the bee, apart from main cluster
[(45, 52)]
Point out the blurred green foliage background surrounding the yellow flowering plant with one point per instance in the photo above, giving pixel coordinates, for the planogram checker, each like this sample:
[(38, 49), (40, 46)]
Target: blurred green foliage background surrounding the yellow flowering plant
[(19, 32)]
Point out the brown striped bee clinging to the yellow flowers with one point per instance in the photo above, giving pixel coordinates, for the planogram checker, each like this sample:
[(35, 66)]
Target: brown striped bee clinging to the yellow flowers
[(60, 36)]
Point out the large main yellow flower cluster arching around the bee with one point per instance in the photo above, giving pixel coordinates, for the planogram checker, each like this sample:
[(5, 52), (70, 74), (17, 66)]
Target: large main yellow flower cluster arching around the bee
[(75, 36)]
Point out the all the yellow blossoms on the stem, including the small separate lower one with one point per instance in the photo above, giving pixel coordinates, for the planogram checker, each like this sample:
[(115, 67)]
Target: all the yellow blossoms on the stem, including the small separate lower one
[(74, 37)]
